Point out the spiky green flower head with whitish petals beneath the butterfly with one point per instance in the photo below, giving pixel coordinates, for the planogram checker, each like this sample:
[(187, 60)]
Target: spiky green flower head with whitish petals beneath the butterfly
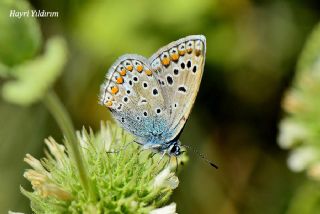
[(125, 179)]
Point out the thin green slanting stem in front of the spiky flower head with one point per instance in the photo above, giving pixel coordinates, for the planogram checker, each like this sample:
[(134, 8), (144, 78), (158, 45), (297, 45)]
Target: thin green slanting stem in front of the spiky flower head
[(58, 111)]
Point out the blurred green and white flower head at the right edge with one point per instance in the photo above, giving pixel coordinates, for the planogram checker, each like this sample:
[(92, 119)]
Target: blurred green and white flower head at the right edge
[(299, 130)]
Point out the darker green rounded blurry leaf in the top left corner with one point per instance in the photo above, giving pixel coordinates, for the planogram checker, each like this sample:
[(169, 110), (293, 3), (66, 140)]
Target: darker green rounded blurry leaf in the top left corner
[(20, 38)]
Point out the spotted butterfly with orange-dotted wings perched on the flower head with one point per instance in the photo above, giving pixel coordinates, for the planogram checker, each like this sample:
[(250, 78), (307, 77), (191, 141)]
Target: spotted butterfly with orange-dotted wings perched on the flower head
[(152, 98)]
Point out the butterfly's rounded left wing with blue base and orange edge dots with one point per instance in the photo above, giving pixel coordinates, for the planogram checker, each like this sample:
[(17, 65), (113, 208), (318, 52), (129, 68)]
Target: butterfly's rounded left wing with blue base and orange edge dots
[(133, 95)]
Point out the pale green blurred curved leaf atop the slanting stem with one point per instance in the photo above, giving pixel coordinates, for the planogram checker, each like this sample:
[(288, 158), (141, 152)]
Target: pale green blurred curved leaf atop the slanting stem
[(35, 77)]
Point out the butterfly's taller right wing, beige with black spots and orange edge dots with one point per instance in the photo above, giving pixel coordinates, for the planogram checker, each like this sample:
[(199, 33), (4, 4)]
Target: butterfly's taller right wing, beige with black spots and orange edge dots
[(178, 68)]
